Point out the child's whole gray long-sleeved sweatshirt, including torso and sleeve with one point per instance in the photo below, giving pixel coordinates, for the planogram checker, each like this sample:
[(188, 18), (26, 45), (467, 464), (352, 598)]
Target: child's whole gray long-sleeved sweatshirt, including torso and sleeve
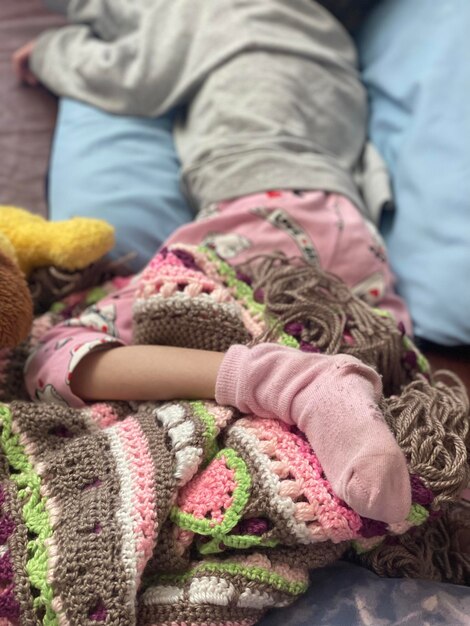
[(268, 90)]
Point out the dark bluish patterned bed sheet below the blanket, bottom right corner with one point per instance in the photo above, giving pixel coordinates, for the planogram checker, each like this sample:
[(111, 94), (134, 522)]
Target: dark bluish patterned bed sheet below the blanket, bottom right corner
[(348, 595)]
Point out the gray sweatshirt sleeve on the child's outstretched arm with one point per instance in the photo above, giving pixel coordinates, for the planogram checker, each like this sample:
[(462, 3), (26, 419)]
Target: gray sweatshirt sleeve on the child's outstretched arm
[(131, 58)]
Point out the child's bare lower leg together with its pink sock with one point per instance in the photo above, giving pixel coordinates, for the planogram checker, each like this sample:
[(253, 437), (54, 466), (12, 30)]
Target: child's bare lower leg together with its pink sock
[(332, 399)]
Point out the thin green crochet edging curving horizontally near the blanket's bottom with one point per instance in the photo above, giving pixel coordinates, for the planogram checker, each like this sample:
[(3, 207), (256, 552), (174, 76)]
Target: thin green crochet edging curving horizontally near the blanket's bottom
[(256, 574)]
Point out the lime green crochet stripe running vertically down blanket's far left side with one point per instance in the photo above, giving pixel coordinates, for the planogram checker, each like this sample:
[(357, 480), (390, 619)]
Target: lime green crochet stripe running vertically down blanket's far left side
[(35, 516)]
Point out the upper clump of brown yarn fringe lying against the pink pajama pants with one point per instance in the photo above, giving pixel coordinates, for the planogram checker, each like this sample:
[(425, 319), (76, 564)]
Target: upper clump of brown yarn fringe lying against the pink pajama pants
[(333, 320)]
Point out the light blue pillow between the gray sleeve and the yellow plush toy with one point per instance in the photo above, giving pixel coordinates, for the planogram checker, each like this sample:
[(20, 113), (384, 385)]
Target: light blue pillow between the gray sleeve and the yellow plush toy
[(122, 169)]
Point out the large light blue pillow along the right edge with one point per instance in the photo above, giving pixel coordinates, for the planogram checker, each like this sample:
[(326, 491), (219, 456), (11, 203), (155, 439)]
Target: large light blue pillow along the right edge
[(415, 56)]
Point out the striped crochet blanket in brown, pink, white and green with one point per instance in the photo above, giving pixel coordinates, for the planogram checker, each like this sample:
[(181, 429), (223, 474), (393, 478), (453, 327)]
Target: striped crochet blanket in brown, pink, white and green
[(187, 512)]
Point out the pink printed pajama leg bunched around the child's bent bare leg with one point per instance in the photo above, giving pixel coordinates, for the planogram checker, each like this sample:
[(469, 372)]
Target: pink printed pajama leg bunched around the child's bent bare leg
[(49, 368)]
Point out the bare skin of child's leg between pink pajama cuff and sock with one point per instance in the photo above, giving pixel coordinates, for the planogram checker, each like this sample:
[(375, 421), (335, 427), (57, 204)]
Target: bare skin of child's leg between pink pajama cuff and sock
[(147, 373)]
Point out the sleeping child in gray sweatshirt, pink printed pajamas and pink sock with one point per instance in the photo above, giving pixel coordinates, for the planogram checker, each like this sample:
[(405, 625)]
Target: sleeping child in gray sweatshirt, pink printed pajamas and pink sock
[(271, 130)]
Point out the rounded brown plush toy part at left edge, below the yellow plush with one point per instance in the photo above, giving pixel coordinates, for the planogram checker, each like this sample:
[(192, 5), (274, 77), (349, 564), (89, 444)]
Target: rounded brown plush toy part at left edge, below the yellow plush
[(16, 309)]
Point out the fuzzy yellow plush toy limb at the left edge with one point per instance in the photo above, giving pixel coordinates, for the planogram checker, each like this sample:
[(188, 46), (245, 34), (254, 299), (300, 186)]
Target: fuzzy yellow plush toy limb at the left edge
[(71, 245)]
